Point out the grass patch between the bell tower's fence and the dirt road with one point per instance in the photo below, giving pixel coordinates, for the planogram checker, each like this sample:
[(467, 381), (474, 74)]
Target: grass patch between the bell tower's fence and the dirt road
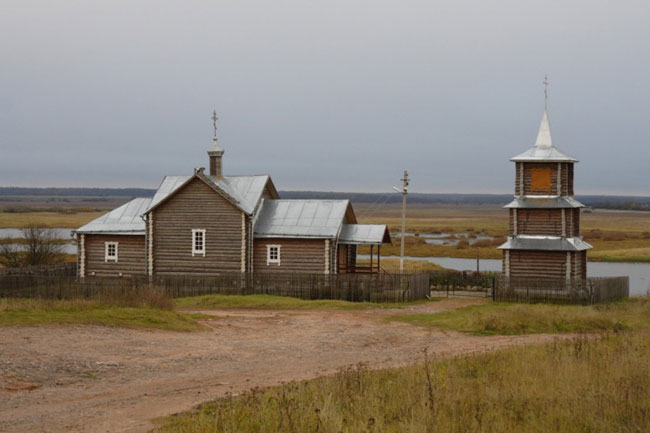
[(511, 319)]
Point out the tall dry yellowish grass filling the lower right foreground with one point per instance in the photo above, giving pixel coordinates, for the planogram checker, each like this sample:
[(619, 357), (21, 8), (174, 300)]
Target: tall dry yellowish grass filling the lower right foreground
[(582, 385)]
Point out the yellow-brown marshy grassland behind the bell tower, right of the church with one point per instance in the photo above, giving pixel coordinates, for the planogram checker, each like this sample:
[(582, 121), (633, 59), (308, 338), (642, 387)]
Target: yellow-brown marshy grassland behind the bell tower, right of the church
[(615, 235)]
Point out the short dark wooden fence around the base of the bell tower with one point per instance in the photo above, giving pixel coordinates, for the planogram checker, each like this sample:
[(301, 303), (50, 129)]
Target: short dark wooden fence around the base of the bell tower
[(589, 291)]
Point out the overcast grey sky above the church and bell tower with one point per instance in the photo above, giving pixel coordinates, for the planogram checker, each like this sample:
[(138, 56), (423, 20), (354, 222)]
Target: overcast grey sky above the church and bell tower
[(324, 95)]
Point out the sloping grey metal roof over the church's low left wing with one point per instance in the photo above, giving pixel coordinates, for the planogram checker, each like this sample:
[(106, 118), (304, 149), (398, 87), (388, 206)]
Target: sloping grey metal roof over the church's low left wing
[(124, 220)]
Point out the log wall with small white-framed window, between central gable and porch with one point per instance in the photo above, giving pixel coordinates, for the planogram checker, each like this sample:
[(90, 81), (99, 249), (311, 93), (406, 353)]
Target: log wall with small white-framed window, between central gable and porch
[(296, 255)]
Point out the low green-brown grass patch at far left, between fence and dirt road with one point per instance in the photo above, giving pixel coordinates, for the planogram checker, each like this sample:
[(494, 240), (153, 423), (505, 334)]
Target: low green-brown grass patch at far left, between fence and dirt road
[(30, 312)]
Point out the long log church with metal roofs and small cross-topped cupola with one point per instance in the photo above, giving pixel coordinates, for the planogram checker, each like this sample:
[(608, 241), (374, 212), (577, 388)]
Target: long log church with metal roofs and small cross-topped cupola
[(211, 223)]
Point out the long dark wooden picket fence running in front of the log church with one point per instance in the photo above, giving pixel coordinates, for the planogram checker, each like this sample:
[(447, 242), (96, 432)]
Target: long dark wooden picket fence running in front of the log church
[(348, 287)]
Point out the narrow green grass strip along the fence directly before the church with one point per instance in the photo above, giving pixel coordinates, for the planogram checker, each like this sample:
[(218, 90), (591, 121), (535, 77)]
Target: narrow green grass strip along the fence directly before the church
[(269, 302)]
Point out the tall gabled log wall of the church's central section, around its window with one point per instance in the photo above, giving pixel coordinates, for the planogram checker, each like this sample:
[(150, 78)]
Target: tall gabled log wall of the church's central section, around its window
[(197, 206)]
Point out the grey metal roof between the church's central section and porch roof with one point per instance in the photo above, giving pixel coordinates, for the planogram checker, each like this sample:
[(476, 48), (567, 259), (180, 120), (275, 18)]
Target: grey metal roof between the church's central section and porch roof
[(300, 218)]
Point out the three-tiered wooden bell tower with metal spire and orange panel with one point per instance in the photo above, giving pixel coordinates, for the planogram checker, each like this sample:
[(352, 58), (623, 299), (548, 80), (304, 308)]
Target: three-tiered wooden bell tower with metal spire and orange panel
[(544, 239)]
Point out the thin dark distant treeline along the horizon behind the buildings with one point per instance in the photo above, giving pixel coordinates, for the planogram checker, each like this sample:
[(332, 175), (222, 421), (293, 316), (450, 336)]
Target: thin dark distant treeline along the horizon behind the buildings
[(595, 201)]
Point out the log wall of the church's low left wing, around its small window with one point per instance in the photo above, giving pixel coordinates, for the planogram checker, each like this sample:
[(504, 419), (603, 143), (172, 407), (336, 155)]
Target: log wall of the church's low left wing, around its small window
[(130, 255)]
